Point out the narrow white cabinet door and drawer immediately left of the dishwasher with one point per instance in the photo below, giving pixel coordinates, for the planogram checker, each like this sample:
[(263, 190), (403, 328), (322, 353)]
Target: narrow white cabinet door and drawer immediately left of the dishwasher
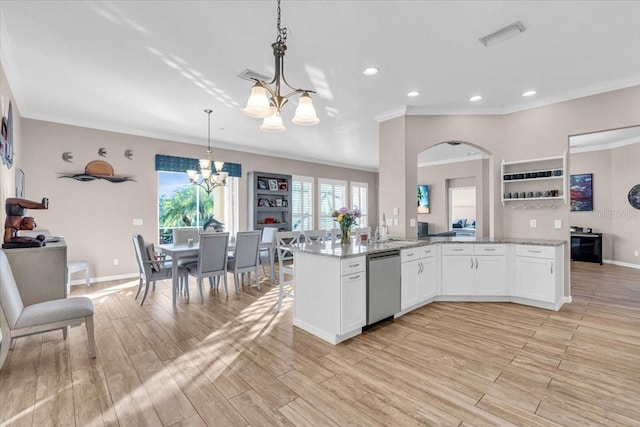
[(353, 305)]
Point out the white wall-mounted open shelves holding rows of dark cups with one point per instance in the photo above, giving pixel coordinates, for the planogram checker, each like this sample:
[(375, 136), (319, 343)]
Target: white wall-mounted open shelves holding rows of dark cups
[(539, 180)]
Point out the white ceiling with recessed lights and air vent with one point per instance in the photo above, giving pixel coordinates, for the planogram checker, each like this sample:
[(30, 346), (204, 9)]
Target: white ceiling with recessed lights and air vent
[(151, 67)]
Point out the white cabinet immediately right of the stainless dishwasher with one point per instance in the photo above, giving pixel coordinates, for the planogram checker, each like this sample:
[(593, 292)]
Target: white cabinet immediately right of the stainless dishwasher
[(419, 275)]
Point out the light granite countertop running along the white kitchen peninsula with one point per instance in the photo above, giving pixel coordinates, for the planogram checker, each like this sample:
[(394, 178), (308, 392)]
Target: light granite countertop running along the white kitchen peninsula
[(334, 249)]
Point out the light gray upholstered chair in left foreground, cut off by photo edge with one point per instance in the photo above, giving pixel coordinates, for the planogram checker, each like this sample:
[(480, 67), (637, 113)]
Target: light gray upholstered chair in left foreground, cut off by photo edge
[(16, 320)]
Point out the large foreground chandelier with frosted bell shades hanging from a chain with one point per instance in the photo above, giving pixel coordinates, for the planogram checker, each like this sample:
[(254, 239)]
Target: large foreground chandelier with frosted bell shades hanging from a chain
[(259, 105)]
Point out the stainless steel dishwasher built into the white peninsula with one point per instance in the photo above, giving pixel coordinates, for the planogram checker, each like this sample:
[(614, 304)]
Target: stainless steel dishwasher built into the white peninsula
[(383, 285)]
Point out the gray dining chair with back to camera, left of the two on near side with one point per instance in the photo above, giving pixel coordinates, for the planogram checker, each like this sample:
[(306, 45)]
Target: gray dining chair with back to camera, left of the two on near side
[(212, 261)]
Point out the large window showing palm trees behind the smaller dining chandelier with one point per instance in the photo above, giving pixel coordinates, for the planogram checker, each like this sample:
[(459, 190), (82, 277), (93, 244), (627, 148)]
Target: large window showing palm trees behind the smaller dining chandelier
[(182, 204)]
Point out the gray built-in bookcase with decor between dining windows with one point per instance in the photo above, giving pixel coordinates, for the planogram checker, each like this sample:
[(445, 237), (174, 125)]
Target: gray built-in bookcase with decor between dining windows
[(269, 200)]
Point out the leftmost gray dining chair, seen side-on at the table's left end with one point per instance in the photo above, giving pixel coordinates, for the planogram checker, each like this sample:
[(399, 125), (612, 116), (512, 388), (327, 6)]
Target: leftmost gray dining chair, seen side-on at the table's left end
[(151, 269)]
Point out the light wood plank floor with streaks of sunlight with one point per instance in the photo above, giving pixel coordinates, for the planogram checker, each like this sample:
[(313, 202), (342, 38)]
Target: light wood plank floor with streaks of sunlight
[(237, 362)]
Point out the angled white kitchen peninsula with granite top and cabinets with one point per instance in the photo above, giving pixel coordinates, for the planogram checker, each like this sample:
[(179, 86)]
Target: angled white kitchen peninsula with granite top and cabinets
[(332, 297)]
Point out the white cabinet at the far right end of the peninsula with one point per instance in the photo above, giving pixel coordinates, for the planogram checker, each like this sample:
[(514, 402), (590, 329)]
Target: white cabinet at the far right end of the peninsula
[(539, 275)]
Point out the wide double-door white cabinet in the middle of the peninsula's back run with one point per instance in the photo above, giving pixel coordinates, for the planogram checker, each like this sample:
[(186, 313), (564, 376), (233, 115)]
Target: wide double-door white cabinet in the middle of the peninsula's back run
[(474, 270)]
